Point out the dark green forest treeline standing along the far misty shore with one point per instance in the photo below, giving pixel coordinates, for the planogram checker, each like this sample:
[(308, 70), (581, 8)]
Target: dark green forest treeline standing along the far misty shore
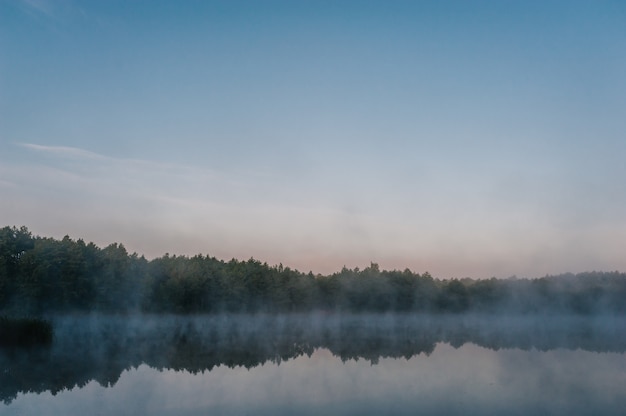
[(40, 275)]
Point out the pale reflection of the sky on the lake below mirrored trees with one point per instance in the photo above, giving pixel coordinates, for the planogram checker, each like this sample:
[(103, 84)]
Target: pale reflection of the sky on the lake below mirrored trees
[(470, 379)]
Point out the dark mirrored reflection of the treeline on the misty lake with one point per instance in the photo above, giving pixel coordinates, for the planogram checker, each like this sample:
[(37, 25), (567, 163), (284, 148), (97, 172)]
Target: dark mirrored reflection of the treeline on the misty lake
[(100, 348)]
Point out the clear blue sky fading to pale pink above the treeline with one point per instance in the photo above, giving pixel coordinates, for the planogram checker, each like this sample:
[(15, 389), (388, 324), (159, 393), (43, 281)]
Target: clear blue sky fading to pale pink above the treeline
[(464, 138)]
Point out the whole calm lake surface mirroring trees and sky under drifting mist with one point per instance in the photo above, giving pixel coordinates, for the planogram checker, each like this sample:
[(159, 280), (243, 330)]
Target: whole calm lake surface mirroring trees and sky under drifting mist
[(320, 364)]
